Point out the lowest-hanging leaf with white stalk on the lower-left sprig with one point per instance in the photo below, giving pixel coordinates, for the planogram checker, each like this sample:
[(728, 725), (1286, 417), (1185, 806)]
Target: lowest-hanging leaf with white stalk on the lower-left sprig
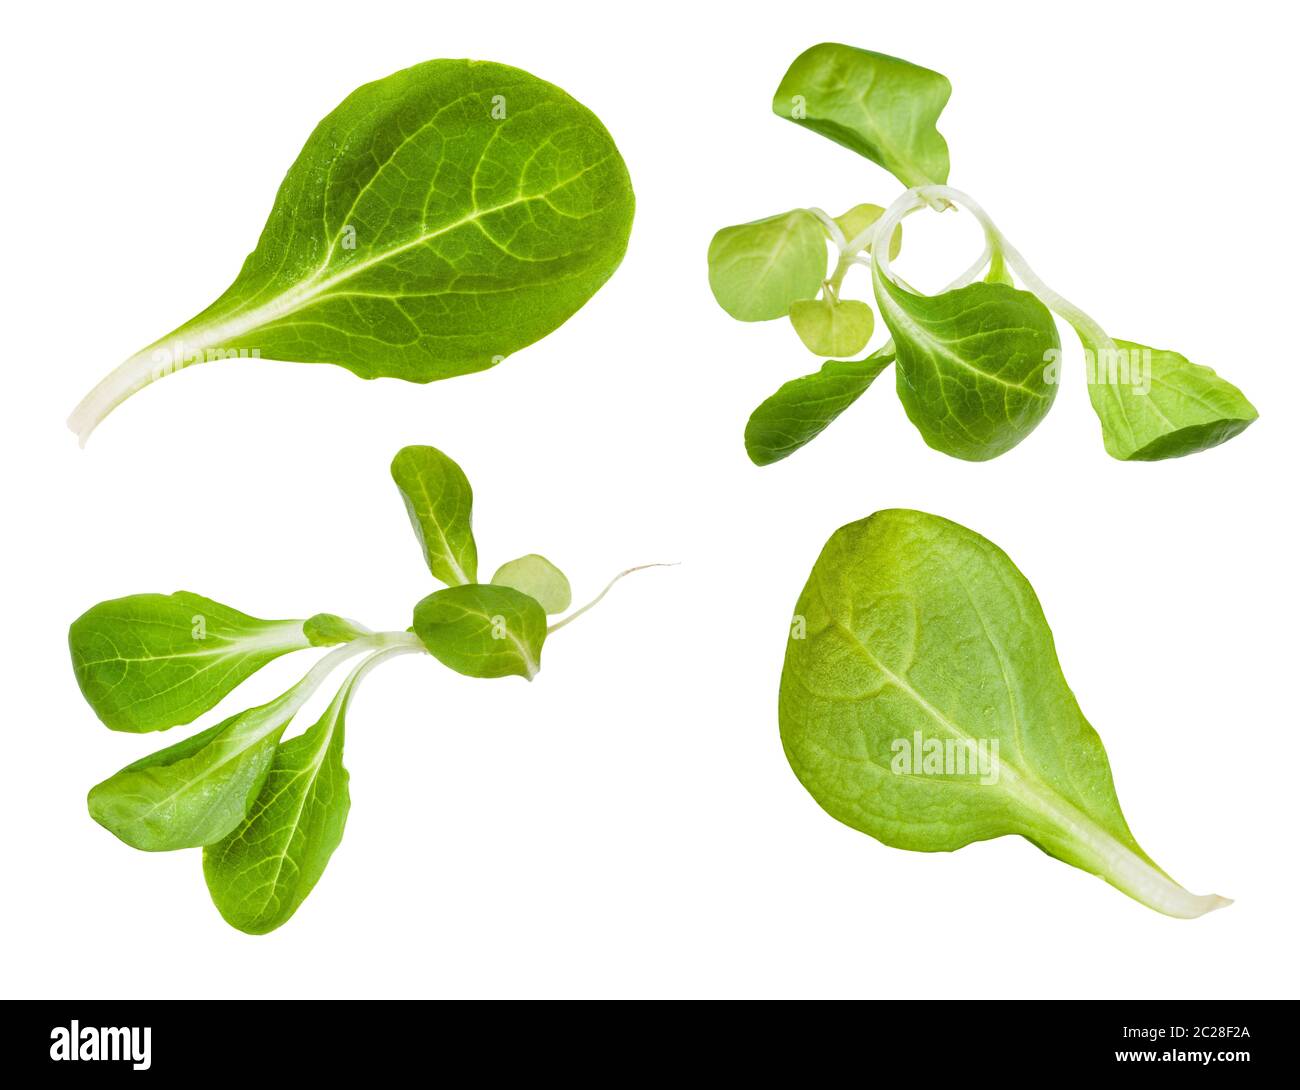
[(265, 870)]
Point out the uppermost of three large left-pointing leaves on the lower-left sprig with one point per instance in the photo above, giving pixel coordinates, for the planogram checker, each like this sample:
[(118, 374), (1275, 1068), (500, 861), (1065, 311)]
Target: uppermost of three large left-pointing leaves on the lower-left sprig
[(154, 661)]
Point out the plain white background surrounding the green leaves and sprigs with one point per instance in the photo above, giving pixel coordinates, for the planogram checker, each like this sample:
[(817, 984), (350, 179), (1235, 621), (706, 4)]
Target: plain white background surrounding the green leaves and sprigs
[(629, 825)]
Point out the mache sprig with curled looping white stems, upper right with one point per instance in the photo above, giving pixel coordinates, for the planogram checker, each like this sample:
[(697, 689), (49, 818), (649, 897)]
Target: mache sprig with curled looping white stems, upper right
[(977, 365)]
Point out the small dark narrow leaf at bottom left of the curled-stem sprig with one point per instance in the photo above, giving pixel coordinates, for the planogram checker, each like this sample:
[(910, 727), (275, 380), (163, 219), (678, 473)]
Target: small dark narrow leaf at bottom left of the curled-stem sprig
[(803, 409)]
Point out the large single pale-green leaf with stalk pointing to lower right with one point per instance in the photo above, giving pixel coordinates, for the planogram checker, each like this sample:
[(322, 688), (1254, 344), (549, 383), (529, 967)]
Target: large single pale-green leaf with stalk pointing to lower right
[(918, 642)]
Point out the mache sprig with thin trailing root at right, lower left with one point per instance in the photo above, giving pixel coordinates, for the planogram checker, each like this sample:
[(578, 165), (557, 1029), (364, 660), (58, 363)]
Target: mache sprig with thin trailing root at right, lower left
[(268, 814)]
